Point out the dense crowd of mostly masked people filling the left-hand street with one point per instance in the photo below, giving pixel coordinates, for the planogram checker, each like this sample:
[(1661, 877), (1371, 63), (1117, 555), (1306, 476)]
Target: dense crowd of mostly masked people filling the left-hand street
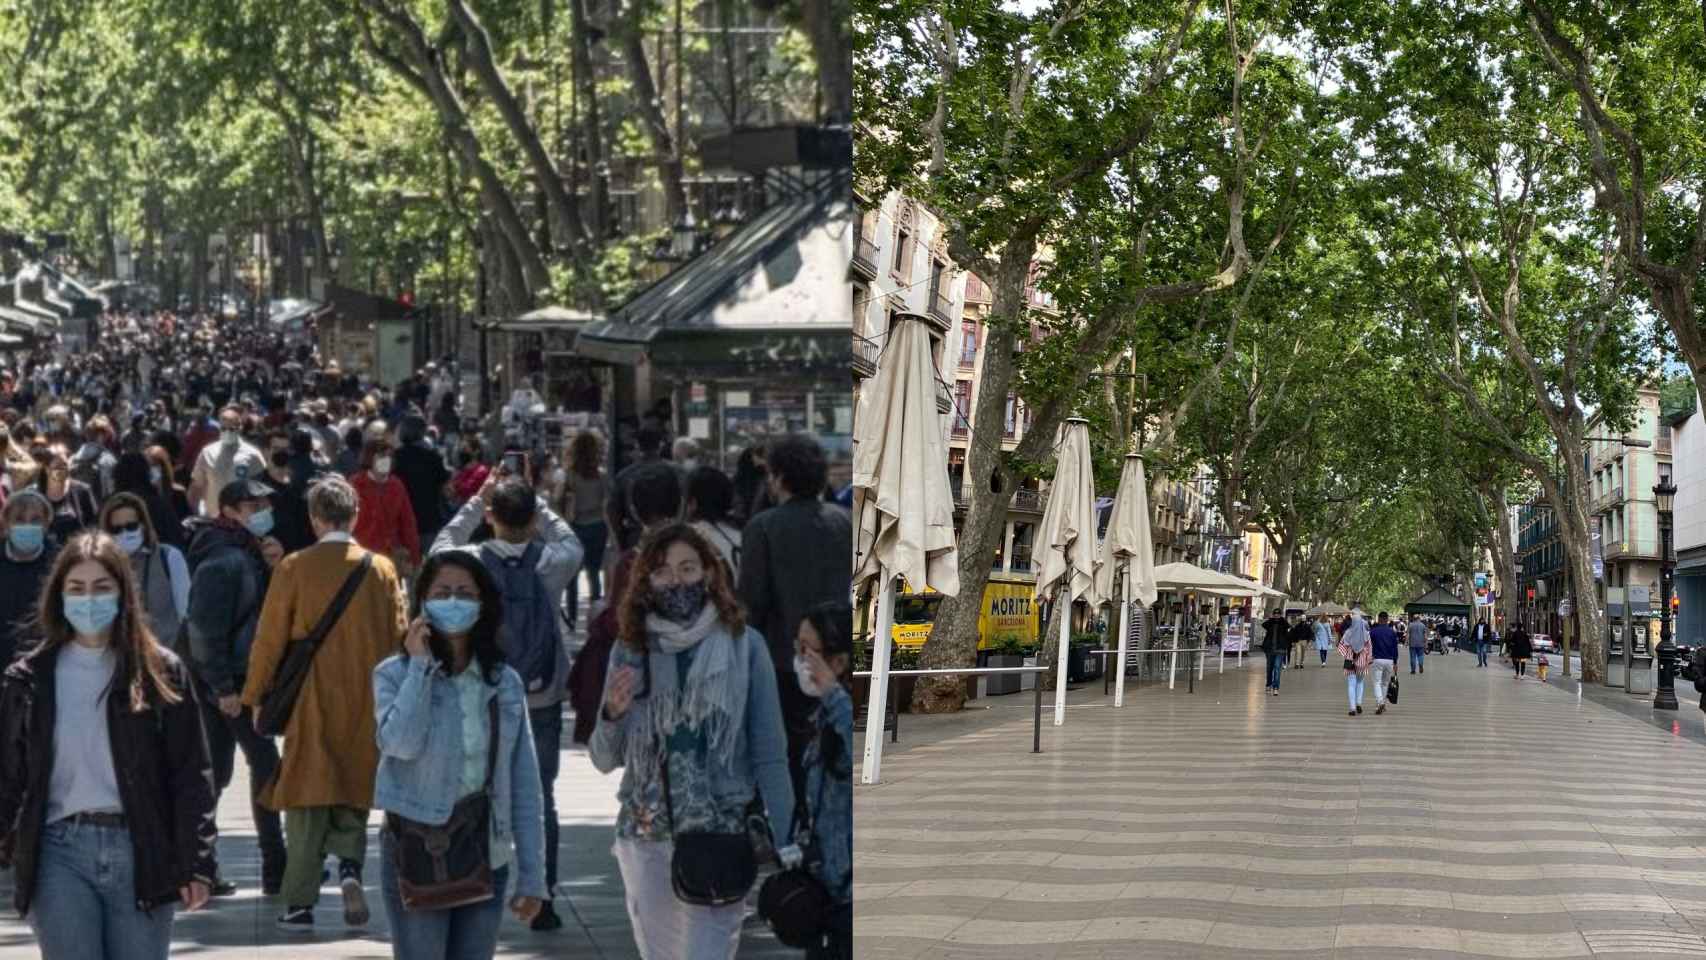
[(214, 543)]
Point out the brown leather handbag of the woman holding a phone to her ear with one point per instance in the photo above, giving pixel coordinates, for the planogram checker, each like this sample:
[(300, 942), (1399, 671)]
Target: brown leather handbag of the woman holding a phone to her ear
[(450, 865)]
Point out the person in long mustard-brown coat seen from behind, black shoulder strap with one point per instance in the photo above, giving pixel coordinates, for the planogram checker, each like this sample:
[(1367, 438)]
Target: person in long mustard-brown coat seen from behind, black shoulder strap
[(325, 784)]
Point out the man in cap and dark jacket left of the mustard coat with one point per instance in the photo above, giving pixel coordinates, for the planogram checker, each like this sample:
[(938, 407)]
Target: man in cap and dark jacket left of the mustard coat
[(231, 560)]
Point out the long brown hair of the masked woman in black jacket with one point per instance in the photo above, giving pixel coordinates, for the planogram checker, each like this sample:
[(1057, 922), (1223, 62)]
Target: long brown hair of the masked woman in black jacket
[(141, 657)]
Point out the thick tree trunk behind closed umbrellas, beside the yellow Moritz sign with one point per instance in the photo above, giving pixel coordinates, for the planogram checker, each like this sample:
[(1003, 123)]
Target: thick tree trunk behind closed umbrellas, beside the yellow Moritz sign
[(955, 637)]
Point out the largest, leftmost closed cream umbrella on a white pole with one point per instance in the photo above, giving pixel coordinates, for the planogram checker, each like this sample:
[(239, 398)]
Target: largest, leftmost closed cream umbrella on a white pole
[(902, 500)]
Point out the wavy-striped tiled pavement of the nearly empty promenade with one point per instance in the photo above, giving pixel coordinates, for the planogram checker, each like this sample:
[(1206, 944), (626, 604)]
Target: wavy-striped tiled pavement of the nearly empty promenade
[(1482, 818)]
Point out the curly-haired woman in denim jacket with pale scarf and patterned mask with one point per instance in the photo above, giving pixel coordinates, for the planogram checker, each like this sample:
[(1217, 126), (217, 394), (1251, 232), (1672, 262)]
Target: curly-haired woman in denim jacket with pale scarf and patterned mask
[(712, 697)]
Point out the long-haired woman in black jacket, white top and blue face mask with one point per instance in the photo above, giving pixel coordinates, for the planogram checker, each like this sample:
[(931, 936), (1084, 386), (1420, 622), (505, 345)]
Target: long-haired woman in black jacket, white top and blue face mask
[(107, 790)]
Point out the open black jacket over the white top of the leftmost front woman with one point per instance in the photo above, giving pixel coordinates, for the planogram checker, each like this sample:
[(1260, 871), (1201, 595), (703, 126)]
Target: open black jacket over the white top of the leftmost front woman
[(165, 780)]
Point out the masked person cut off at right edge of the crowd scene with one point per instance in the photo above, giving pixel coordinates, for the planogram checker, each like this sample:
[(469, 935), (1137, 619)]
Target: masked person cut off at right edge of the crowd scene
[(823, 662)]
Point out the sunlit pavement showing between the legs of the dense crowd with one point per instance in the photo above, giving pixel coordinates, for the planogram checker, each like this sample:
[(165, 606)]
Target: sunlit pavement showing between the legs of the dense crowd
[(591, 894)]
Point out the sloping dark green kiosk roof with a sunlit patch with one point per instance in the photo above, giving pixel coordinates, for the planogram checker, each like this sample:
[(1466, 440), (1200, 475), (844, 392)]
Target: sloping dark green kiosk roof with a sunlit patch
[(769, 296)]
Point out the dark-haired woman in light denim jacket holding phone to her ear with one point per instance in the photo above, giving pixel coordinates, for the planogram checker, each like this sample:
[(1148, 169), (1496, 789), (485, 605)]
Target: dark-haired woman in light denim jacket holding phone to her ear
[(432, 753)]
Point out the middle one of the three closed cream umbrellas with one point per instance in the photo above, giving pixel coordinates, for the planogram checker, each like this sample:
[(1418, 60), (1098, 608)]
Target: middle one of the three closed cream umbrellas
[(1067, 540)]
